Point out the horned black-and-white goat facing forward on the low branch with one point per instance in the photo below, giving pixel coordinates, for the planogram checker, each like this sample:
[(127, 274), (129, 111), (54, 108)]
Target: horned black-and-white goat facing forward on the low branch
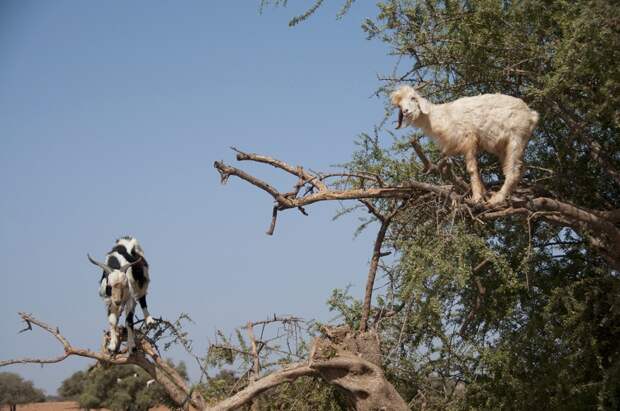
[(125, 280)]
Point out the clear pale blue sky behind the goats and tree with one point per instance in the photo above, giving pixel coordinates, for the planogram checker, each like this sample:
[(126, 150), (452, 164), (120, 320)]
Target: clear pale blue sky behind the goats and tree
[(111, 115)]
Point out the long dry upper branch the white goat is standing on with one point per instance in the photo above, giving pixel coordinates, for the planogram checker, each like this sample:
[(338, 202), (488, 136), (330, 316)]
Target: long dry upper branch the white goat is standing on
[(598, 226)]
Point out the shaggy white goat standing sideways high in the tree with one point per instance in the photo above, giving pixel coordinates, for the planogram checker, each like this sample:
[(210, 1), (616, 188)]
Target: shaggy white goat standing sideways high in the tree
[(496, 123)]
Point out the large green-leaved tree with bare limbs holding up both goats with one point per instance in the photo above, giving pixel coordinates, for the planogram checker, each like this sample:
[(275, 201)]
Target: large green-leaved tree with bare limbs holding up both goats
[(508, 307)]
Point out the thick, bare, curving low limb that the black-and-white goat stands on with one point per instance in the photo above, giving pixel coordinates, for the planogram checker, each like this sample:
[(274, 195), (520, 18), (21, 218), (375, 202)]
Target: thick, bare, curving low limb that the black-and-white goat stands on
[(363, 381)]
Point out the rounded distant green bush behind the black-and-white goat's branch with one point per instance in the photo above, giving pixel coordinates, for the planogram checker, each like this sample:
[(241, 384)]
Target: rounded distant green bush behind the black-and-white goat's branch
[(117, 388)]
